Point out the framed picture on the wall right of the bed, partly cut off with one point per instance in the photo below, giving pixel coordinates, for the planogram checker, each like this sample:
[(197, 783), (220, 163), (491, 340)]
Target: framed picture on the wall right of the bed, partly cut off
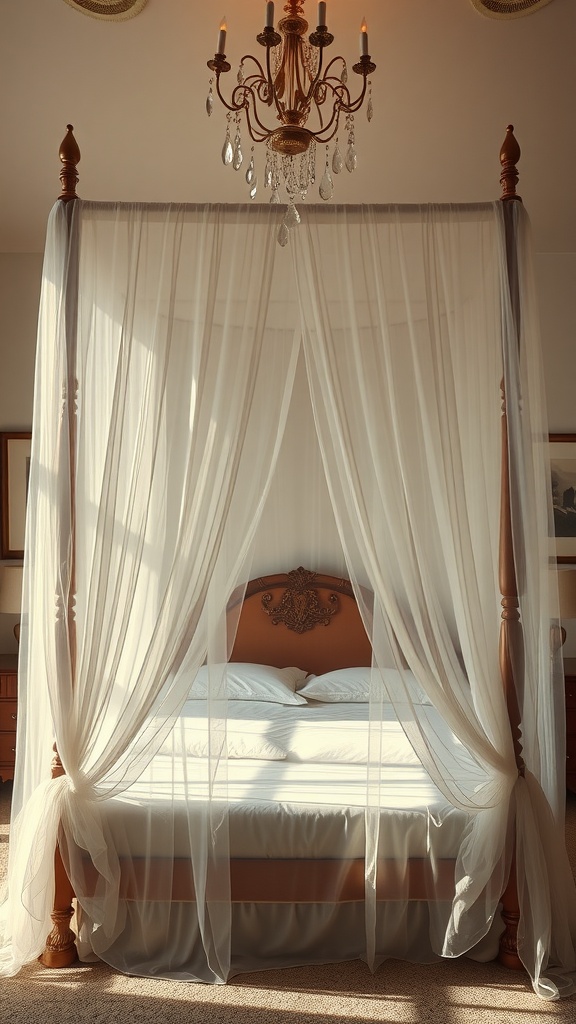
[(563, 482)]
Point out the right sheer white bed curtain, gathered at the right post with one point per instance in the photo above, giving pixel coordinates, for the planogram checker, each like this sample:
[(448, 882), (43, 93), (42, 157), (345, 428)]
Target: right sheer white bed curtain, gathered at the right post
[(409, 323)]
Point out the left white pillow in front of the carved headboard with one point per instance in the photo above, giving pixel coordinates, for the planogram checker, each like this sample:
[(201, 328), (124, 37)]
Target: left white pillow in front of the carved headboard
[(245, 681)]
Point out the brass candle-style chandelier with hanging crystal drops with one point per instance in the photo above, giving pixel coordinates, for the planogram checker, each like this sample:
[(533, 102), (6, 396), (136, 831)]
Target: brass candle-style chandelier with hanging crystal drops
[(293, 104)]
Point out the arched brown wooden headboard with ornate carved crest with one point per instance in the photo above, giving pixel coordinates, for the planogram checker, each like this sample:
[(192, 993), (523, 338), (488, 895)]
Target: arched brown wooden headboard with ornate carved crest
[(303, 619)]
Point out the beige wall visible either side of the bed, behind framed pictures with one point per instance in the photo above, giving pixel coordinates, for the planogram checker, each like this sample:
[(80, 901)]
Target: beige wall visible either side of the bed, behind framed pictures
[(20, 289)]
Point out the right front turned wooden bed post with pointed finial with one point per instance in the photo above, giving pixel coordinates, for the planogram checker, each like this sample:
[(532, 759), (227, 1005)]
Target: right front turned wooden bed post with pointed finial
[(512, 638)]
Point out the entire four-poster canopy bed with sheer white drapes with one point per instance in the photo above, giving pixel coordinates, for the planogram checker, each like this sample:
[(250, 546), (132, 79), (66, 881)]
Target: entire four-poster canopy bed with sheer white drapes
[(359, 757)]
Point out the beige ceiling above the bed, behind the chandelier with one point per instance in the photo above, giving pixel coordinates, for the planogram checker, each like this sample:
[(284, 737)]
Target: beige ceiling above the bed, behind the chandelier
[(448, 82)]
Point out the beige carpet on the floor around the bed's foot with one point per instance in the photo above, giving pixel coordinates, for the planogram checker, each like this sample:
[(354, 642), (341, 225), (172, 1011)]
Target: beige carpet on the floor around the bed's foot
[(460, 993)]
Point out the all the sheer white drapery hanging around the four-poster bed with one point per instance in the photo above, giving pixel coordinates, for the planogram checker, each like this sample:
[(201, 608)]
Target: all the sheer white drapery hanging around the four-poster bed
[(173, 334)]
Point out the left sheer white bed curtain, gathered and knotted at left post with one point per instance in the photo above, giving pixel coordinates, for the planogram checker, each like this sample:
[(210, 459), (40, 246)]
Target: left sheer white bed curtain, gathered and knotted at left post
[(162, 353)]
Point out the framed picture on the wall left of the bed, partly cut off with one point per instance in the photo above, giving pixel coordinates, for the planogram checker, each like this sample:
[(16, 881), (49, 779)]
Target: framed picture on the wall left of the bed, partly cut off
[(15, 474)]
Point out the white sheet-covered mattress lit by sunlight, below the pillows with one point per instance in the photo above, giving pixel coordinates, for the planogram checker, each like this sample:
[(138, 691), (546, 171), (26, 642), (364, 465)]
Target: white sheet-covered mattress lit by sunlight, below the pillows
[(308, 802)]
